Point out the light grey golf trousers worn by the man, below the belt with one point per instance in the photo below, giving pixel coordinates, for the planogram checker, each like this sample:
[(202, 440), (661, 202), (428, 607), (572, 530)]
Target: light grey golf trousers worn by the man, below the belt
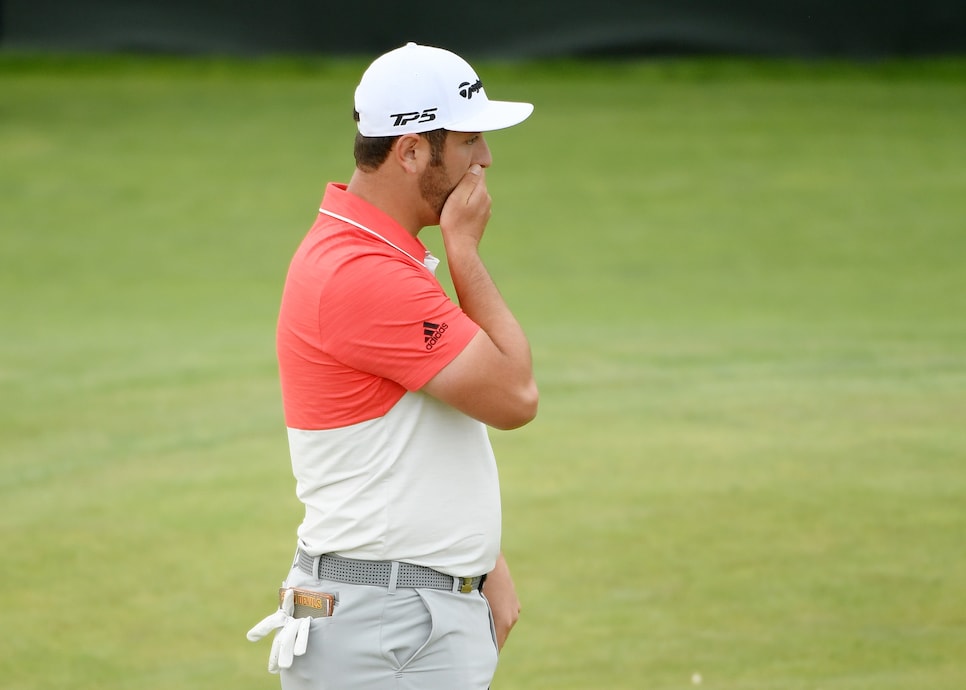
[(407, 639)]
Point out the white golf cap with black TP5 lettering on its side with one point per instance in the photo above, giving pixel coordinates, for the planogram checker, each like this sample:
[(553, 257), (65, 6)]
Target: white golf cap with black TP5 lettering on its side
[(417, 89)]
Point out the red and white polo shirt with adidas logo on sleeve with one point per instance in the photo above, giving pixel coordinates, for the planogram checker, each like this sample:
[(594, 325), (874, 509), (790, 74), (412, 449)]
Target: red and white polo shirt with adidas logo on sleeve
[(385, 472)]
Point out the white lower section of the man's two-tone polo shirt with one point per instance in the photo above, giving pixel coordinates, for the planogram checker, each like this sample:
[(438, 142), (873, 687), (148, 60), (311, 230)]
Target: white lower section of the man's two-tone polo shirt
[(418, 484)]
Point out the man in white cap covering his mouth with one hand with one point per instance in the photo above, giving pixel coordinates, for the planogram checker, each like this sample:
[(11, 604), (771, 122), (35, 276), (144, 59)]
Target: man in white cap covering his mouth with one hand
[(388, 387)]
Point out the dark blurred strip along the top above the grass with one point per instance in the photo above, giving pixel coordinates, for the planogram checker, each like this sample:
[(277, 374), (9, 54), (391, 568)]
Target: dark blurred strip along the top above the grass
[(497, 28)]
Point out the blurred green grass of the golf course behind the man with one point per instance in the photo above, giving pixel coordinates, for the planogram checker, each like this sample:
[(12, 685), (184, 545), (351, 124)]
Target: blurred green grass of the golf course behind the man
[(745, 292)]
